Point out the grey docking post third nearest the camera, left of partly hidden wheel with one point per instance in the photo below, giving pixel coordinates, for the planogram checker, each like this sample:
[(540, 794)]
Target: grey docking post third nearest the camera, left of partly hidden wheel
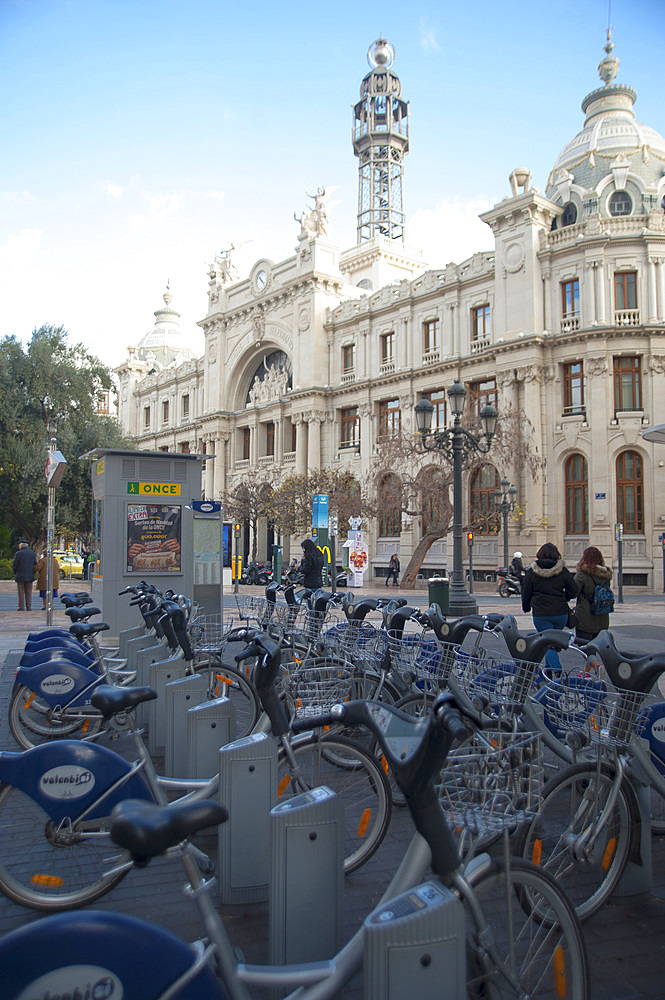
[(248, 787)]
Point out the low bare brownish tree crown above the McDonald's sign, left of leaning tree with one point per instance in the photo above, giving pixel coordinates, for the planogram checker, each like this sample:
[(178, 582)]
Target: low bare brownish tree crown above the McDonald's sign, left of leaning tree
[(291, 509)]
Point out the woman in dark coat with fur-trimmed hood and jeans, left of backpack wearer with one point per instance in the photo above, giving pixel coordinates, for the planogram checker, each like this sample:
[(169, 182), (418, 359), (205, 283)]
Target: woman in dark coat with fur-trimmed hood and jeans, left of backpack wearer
[(547, 588)]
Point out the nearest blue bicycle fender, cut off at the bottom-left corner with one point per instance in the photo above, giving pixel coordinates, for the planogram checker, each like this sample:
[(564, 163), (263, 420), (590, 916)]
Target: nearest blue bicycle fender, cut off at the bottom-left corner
[(97, 954)]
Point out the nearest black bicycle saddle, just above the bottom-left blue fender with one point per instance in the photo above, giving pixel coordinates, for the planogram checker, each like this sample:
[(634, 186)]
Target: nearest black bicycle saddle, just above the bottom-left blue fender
[(147, 830)]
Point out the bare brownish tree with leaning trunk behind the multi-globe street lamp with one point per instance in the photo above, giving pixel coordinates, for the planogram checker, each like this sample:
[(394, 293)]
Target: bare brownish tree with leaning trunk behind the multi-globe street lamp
[(410, 481)]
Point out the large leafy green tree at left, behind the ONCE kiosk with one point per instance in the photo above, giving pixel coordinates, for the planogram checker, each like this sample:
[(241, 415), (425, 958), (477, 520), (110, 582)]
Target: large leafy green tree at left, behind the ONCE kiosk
[(50, 389)]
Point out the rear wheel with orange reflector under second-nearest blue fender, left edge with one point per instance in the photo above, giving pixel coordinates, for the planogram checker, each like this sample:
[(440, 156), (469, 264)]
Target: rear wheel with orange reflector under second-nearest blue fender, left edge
[(50, 868)]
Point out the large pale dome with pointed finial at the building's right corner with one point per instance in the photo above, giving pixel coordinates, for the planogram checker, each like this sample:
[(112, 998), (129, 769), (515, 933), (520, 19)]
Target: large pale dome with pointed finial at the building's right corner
[(611, 138)]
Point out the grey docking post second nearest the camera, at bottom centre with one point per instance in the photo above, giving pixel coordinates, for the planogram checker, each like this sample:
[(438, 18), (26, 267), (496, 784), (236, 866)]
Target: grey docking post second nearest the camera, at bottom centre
[(307, 877)]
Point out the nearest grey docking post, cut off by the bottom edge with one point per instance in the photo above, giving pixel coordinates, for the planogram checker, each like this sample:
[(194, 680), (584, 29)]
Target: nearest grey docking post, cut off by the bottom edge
[(415, 945)]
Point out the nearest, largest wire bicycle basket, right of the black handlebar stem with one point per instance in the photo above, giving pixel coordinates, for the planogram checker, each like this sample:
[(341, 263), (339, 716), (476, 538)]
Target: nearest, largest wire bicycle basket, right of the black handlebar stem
[(494, 782)]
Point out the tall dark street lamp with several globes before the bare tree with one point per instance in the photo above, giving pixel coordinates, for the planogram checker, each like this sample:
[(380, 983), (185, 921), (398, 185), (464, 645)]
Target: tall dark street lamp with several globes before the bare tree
[(456, 442)]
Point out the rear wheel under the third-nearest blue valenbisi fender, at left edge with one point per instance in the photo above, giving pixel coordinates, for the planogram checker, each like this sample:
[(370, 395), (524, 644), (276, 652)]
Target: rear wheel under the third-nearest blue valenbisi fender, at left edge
[(32, 722)]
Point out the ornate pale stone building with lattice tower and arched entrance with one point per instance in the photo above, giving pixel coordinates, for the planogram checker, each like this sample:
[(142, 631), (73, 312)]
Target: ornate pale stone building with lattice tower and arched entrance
[(309, 360)]
